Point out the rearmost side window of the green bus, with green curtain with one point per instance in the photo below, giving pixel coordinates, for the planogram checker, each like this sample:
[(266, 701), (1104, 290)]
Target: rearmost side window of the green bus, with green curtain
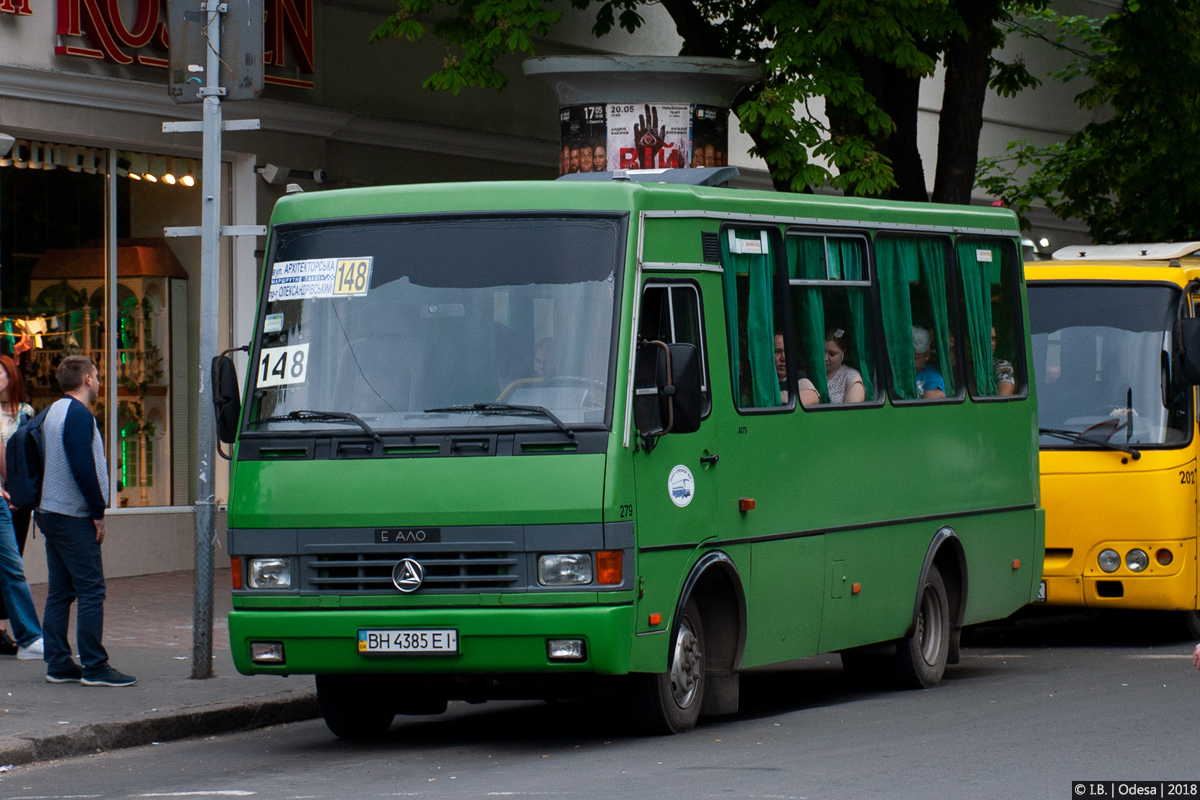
[(992, 326)]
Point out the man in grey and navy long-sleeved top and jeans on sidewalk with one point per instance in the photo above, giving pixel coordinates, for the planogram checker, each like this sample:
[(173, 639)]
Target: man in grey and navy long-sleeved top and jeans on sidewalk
[(75, 495)]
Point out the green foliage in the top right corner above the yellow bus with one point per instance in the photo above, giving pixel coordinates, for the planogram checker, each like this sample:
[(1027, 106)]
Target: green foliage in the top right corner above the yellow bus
[(1135, 177)]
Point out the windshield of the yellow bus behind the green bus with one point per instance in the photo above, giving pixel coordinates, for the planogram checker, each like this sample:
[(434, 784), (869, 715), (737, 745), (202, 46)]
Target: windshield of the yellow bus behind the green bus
[(1102, 356)]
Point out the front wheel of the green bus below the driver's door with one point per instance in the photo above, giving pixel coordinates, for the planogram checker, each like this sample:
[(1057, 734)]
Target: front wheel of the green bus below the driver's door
[(670, 702)]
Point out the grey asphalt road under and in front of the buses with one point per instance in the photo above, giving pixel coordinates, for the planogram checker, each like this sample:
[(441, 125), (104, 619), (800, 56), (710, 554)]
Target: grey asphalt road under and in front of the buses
[(1029, 711)]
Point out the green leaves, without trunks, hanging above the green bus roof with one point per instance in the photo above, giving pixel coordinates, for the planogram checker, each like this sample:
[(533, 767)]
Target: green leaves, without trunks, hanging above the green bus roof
[(811, 49)]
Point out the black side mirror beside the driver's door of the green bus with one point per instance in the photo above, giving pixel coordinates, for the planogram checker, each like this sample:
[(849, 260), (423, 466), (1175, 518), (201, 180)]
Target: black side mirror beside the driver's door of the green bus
[(667, 390)]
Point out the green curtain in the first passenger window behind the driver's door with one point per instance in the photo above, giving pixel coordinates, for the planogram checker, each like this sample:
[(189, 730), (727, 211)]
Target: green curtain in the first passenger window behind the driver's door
[(760, 323)]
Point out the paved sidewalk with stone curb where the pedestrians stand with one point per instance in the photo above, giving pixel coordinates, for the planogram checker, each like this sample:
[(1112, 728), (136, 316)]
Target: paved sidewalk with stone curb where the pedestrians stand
[(148, 633)]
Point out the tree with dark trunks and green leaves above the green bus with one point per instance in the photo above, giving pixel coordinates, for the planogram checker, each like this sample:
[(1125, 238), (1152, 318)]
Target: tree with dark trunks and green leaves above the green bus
[(865, 58)]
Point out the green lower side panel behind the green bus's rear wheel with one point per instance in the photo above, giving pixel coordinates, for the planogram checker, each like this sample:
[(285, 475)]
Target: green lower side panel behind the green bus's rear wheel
[(1004, 562)]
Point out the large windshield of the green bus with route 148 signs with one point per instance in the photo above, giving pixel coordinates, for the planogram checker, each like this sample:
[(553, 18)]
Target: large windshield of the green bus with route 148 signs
[(439, 323)]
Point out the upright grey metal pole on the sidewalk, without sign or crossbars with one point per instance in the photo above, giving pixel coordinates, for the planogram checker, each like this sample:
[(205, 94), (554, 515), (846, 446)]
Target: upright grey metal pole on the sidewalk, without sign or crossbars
[(211, 286)]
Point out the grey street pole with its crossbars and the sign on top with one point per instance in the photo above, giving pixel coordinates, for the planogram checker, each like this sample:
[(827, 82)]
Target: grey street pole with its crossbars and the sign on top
[(205, 28)]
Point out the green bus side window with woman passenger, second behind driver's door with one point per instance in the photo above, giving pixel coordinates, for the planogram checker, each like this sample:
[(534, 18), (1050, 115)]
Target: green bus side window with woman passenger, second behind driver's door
[(830, 285)]
